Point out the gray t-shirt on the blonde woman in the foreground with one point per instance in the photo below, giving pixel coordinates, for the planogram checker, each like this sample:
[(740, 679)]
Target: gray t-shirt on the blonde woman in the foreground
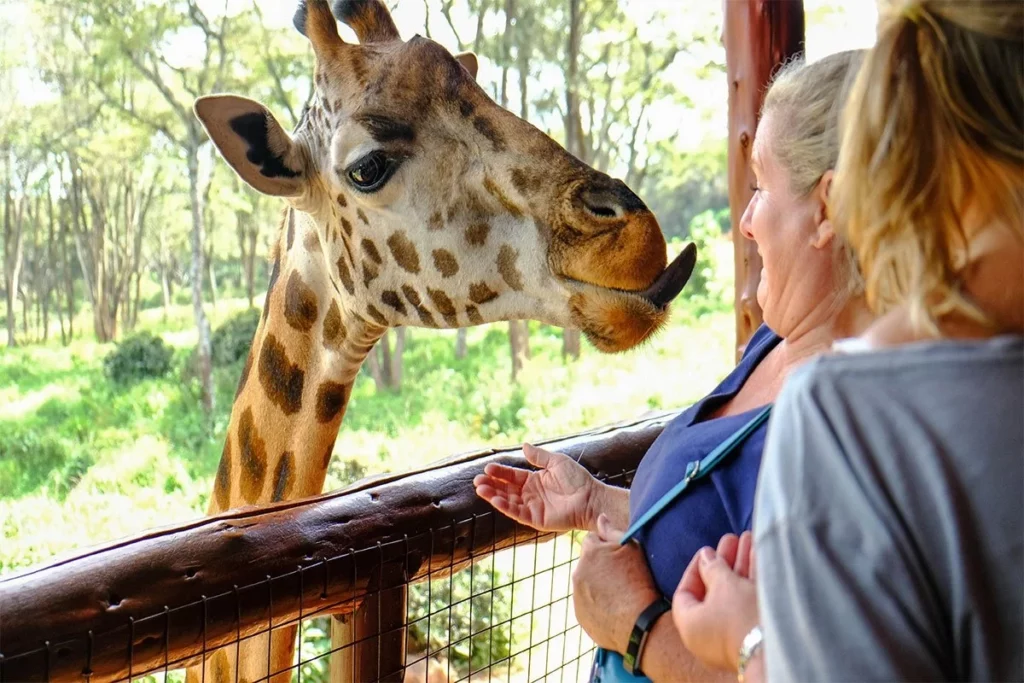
[(889, 518)]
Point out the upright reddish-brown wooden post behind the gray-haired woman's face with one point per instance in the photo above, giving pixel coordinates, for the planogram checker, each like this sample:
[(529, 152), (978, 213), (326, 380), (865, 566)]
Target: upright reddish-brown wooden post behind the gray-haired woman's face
[(760, 35)]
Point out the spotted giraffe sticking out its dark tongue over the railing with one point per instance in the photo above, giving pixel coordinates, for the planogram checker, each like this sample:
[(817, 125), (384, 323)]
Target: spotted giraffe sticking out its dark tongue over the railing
[(411, 199)]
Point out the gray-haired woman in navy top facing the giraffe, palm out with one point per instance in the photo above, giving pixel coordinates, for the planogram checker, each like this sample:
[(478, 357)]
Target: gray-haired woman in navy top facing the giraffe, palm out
[(810, 295)]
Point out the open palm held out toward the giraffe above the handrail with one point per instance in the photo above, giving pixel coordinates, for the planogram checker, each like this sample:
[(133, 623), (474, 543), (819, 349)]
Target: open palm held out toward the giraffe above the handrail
[(556, 498)]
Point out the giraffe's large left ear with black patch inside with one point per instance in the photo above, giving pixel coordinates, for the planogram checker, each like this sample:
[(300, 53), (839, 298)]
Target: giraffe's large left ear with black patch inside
[(253, 144)]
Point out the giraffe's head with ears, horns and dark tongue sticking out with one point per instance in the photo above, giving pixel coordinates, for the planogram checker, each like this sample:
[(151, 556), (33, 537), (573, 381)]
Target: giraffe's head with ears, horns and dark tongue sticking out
[(435, 206)]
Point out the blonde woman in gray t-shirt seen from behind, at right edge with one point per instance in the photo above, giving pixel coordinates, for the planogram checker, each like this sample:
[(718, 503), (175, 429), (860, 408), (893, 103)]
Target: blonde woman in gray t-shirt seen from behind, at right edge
[(889, 528)]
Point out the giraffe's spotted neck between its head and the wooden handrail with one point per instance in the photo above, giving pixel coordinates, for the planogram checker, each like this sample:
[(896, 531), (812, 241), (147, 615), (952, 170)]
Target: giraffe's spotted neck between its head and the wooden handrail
[(297, 381)]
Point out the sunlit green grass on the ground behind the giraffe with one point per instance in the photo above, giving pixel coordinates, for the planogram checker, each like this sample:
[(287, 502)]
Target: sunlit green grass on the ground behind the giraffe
[(86, 461)]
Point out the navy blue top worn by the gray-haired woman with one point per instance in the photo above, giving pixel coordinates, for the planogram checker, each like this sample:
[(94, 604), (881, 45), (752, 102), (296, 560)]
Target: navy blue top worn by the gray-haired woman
[(713, 506)]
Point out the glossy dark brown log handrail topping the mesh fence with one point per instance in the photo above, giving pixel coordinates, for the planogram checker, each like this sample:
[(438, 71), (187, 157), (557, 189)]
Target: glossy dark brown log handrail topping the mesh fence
[(170, 594)]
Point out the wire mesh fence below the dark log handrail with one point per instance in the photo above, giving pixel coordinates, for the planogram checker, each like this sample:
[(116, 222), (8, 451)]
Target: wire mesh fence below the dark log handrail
[(483, 615)]
